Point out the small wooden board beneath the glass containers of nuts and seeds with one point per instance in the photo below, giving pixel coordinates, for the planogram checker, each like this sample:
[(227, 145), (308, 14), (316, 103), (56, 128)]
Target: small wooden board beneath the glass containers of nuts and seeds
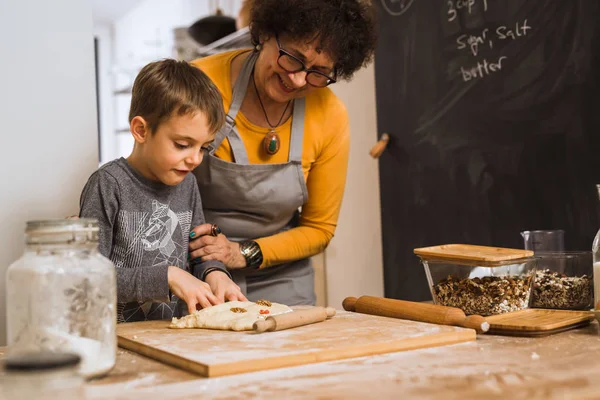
[(537, 322)]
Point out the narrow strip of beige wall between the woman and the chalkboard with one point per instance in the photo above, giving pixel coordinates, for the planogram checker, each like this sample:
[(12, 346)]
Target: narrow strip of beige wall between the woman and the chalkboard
[(354, 258)]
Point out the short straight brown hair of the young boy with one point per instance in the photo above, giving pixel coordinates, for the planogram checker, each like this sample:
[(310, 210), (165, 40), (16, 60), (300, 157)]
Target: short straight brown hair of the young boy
[(169, 86)]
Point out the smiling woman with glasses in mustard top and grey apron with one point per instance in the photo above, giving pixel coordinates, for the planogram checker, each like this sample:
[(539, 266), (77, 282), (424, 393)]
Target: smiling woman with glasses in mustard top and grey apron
[(274, 177)]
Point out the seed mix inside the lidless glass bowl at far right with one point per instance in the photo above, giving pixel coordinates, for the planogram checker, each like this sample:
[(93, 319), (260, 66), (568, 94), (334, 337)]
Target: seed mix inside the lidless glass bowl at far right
[(555, 290)]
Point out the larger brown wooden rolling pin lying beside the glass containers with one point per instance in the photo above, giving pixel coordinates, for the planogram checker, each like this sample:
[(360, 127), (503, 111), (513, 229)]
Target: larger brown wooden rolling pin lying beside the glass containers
[(423, 312)]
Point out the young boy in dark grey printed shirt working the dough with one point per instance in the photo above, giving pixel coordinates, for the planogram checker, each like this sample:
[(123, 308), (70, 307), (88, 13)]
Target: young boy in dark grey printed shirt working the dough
[(147, 204)]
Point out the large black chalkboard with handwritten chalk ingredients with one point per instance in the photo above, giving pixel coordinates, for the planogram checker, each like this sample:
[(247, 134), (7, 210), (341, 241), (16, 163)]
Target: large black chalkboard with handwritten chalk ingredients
[(493, 109)]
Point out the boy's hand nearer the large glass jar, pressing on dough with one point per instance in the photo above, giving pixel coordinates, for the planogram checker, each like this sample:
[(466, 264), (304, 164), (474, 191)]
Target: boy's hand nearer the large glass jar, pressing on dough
[(191, 290)]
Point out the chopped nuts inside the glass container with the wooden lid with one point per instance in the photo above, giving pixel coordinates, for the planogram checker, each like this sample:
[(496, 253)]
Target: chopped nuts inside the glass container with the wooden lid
[(489, 295)]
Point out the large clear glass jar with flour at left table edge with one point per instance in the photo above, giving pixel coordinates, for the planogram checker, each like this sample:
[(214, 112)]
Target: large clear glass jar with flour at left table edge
[(61, 295)]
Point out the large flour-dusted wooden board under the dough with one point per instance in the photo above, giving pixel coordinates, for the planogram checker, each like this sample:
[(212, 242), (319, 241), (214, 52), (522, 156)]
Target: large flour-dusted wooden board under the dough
[(216, 353)]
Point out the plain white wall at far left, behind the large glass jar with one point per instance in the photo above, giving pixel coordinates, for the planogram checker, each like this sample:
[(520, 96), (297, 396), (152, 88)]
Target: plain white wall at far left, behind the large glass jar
[(48, 144)]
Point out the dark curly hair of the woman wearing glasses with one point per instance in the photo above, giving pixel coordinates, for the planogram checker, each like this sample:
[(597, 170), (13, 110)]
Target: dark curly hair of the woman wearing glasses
[(345, 28)]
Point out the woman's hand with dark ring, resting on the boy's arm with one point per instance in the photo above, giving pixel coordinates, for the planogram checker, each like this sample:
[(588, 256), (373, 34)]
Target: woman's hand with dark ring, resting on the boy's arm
[(207, 247)]
